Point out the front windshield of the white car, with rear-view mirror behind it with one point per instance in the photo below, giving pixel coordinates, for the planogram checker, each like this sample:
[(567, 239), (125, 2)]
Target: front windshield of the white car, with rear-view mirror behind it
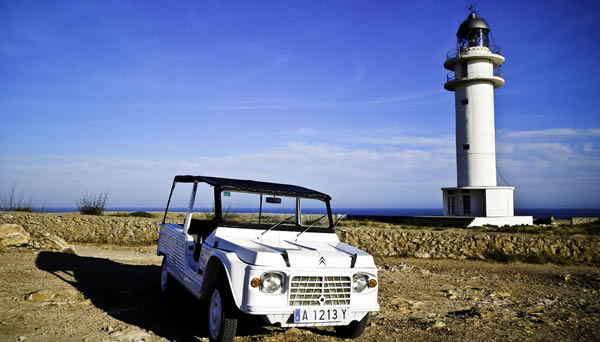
[(273, 212)]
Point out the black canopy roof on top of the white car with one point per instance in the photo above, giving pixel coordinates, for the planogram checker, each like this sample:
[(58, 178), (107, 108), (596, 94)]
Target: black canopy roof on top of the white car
[(253, 186)]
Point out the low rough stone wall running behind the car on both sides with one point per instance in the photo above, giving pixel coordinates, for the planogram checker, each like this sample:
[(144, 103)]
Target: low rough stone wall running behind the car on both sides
[(381, 242)]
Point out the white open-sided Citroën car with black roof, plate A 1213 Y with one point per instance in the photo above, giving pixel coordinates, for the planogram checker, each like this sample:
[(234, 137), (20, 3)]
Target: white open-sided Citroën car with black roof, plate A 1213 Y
[(270, 250)]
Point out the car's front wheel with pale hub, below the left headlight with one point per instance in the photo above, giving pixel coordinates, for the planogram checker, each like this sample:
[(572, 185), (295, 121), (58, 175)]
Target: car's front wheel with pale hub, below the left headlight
[(221, 323)]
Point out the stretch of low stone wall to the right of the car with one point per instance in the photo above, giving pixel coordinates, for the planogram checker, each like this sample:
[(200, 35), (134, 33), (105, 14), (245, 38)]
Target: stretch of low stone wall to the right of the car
[(464, 244)]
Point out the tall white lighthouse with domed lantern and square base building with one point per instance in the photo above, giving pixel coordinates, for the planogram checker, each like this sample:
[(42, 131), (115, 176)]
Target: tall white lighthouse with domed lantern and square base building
[(474, 75)]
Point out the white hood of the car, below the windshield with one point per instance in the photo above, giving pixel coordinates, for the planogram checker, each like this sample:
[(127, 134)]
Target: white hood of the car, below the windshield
[(286, 249)]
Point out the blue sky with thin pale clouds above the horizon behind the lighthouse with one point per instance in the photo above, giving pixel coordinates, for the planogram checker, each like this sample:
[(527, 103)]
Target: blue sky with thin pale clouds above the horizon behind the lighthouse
[(345, 97)]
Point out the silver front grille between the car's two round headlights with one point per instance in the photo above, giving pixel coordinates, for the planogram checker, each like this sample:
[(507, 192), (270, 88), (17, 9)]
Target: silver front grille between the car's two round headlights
[(314, 291)]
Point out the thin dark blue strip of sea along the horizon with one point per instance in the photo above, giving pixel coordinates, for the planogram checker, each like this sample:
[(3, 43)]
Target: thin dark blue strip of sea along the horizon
[(558, 213)]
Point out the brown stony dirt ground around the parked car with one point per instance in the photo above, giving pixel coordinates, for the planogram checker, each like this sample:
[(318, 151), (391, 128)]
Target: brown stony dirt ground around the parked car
[(108, 293)]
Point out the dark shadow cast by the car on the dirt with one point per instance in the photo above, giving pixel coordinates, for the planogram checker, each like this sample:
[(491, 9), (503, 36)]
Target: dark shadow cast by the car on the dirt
[(130, 293)]
